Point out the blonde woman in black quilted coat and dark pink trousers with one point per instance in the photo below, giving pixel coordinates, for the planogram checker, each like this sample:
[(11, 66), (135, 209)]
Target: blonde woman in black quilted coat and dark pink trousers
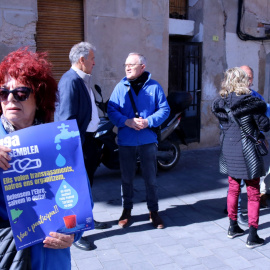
[(239, 157)]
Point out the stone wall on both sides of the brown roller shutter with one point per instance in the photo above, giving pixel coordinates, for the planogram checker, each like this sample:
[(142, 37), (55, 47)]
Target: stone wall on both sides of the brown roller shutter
[(114, 27)]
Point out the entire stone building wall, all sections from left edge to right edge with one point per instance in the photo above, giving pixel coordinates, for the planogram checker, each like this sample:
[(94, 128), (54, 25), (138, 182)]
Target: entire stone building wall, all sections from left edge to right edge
[(121, 26)]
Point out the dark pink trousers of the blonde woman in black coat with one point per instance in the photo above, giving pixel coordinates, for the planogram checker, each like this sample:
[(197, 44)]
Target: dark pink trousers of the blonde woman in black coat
[(253, 193)]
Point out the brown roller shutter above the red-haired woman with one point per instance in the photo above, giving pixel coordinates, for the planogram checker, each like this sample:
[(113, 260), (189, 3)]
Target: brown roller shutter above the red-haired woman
[(59, 27)]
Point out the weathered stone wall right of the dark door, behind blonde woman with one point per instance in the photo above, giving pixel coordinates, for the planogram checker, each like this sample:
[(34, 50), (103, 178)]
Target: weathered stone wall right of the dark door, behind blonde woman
[(215, 26)]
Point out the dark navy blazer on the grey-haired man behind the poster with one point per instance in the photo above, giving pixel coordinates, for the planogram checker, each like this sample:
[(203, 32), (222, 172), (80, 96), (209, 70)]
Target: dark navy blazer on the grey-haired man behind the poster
[(74, 101)]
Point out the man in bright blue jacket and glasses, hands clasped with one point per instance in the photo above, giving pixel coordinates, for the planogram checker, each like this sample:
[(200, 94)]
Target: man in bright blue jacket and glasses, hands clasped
[(135, 136)]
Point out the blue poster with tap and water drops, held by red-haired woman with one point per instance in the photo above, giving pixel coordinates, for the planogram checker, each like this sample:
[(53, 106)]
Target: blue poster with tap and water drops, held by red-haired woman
[(46, 187)]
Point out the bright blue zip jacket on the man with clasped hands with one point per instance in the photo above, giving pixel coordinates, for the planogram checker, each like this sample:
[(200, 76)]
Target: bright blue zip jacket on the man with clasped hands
[(151, 104)]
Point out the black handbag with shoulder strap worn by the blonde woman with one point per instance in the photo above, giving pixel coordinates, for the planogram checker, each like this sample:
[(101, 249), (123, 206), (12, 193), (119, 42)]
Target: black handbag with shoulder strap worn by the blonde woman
[(261, 143)]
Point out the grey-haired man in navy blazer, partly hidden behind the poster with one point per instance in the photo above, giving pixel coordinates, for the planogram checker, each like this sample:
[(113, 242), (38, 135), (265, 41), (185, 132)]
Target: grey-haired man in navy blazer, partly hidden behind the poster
[(76, 101)]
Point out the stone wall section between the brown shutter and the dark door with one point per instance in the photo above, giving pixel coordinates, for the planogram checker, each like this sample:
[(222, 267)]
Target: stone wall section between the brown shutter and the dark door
[(123, 26)]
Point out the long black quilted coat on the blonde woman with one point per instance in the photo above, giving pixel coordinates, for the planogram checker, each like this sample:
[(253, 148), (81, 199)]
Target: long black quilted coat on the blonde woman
[(239, 157)]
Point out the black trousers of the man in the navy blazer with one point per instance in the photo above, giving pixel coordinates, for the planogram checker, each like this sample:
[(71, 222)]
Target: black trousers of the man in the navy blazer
[(91, 155)]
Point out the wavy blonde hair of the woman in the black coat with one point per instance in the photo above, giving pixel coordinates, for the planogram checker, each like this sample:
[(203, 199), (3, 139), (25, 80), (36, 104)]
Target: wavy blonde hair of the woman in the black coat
[(235, 80)]
